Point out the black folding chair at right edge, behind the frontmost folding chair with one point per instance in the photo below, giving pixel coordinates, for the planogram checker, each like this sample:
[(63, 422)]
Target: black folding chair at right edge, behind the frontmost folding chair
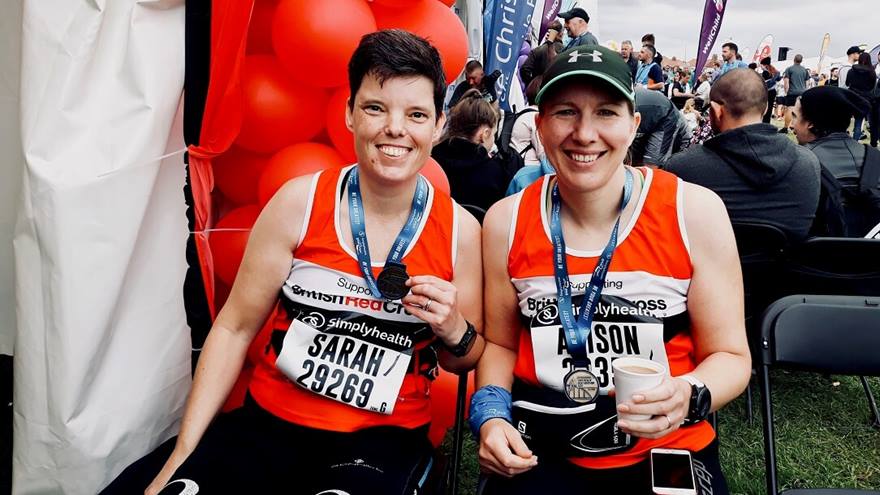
[(839, 266)]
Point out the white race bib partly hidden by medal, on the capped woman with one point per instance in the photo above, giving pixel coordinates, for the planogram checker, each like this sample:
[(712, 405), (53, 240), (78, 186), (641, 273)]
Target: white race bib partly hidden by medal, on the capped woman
[(619, 329)]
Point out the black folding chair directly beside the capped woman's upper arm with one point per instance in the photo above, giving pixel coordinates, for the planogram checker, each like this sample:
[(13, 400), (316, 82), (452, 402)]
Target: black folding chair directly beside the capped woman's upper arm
[(761, 248)]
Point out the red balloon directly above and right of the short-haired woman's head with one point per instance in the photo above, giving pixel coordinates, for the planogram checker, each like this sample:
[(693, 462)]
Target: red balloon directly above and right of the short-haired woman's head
[(435, 22)]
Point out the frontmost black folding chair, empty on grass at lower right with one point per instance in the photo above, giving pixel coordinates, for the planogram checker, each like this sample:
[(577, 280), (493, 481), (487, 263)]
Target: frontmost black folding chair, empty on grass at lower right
[(795, 334)]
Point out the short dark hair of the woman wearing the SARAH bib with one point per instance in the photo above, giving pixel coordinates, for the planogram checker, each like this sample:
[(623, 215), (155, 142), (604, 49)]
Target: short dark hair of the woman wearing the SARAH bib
[(396, 53)]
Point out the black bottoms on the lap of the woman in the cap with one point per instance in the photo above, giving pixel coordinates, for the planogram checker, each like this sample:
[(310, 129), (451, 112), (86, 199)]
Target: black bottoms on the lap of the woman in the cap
[(562, 477)]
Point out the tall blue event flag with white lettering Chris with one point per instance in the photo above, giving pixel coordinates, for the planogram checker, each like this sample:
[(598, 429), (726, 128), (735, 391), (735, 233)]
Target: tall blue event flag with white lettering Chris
[(505, 25)]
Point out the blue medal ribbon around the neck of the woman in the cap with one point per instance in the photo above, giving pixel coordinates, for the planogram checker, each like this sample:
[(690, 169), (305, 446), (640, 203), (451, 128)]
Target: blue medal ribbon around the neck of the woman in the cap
[(578, 329)]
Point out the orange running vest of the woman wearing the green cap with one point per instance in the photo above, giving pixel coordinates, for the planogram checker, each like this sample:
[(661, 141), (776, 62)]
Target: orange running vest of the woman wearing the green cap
[(651, 268)]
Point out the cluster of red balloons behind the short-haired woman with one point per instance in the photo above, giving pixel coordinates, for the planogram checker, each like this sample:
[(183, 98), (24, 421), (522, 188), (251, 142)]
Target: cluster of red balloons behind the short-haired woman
[(294, 85)]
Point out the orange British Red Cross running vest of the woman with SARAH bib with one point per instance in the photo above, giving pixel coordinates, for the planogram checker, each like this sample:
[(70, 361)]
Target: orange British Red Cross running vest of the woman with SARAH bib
[(326, 278)]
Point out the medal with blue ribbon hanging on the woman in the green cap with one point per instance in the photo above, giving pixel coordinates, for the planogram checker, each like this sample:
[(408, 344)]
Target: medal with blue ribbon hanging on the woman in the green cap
[(580, 385)]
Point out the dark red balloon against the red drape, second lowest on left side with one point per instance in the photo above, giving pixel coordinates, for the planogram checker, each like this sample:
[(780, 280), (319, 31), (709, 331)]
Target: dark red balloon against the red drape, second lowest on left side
[(236, 173)]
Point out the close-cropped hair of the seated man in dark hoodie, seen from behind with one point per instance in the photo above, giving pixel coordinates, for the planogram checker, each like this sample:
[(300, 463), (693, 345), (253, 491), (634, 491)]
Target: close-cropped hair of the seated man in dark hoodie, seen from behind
[(741, 92)]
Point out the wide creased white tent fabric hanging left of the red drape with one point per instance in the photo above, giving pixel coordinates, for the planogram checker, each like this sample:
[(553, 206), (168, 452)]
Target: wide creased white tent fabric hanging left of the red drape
[(102, 363)]
